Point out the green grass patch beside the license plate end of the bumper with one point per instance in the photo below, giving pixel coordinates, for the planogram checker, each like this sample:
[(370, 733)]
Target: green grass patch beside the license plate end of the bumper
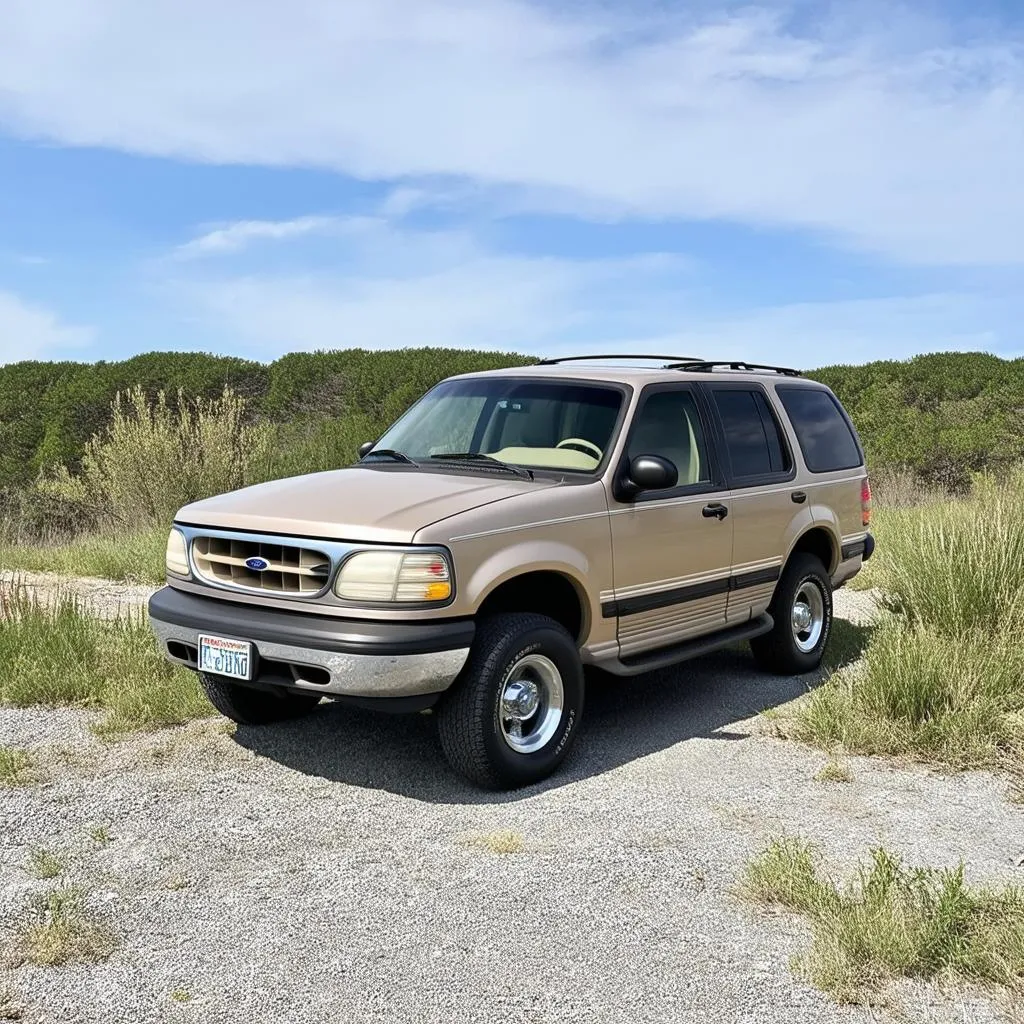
[(58, 656)]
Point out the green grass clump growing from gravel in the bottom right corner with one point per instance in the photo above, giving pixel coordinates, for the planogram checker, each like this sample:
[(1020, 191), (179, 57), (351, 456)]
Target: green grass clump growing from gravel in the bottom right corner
[(892, 921)]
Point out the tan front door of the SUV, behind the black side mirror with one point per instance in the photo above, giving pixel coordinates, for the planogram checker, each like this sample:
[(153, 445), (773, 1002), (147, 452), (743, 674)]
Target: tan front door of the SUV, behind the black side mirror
[(673, 549)]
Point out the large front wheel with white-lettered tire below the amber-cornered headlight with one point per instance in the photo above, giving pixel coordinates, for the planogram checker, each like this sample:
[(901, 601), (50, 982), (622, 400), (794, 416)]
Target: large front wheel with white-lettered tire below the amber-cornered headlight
[(514, 714)]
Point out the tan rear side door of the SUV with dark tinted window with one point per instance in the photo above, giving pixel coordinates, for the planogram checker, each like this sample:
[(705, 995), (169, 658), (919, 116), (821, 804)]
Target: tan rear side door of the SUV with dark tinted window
[(767, 509)]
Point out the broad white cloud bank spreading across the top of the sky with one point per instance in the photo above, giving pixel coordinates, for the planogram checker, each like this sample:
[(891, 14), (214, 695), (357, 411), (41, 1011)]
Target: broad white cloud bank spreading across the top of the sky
[(899, 141)]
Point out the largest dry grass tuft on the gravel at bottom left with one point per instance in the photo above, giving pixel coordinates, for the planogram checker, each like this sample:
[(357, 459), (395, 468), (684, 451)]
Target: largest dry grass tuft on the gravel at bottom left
[(60, 929)]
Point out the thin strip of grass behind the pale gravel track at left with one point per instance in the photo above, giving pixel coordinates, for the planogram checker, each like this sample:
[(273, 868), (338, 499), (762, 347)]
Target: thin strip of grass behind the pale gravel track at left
[(129, 558)]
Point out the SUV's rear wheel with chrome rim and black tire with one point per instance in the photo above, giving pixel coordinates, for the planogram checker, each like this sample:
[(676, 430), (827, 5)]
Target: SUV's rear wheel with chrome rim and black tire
[(802, 609)]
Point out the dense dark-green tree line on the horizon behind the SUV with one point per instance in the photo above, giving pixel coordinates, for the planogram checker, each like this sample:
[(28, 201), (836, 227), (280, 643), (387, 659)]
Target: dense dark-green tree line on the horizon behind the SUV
[(944, 416)]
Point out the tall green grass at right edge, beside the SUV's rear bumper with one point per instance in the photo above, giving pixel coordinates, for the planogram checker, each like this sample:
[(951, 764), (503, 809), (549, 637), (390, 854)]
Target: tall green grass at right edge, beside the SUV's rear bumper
[(943, 677)]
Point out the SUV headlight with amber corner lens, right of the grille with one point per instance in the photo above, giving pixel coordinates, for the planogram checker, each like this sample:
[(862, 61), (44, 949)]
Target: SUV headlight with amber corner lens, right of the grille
[(395, 576)]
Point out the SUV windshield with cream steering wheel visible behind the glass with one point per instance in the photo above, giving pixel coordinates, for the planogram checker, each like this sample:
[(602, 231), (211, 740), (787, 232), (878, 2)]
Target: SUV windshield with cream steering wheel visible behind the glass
[(538, 424)]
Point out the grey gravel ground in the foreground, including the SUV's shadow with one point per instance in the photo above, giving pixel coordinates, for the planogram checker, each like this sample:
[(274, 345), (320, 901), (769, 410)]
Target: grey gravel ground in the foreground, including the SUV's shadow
[(335, 870)]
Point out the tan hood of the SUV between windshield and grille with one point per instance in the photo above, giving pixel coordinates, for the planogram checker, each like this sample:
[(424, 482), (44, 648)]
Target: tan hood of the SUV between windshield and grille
[(386, 505)]
